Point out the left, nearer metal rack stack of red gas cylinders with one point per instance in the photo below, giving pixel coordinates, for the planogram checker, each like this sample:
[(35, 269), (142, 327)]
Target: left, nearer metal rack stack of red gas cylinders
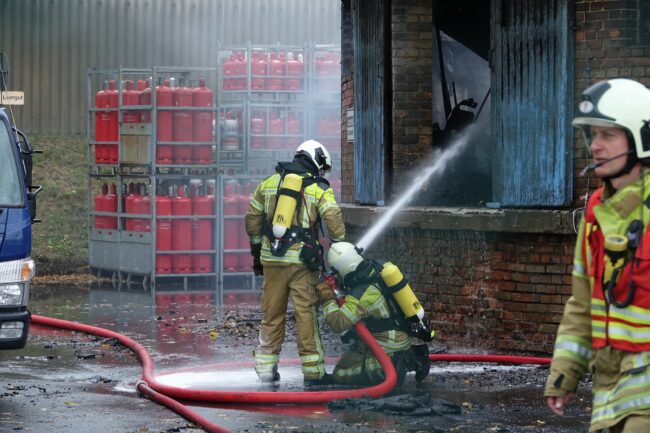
[(153, 171)]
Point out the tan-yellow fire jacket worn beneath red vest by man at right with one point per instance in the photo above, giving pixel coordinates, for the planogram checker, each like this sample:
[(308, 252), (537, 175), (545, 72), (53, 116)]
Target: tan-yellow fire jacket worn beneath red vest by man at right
[(621, 378)]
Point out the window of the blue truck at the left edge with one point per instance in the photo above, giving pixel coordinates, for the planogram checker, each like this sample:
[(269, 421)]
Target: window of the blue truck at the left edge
[(11, 184)]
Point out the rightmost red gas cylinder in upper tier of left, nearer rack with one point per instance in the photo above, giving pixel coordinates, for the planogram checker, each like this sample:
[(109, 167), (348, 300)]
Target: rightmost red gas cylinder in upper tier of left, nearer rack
[(202, 124)]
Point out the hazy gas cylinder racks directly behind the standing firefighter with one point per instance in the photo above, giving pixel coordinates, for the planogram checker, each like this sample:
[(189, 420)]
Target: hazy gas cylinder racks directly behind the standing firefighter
[(285, 94)]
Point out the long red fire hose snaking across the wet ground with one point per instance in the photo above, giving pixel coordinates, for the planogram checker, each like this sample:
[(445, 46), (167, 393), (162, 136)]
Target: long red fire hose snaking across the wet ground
[(168, 395)]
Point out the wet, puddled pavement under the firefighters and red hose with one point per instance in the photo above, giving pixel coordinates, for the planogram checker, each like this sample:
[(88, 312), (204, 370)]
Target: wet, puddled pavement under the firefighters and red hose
[(72, 382)]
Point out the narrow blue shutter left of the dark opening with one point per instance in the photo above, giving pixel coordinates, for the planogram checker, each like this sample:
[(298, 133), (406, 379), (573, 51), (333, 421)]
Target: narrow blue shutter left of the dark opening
[(369, 138)]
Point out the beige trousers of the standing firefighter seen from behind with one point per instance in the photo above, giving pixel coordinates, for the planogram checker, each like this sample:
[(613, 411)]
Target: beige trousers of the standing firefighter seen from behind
[(299, 284)]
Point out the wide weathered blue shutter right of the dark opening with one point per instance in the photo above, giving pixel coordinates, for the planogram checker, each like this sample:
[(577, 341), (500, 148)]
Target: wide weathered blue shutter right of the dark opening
[(532, 102)]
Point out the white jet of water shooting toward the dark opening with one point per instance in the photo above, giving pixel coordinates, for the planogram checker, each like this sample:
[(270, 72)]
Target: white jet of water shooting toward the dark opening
[(441, 159)]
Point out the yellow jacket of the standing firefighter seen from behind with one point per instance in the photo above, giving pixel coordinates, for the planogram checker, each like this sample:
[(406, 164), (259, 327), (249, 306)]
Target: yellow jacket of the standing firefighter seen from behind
[(318, 202)]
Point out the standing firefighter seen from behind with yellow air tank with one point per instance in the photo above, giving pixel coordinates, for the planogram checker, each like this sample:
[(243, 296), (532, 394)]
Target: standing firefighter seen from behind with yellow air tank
[(282, 222)]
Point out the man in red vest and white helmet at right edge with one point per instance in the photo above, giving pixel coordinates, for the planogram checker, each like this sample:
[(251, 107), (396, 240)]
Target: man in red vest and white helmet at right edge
[(605, 328)]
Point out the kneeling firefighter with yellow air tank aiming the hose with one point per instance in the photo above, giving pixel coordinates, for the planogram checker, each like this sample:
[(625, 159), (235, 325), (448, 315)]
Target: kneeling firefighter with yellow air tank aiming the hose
[(377, 293)]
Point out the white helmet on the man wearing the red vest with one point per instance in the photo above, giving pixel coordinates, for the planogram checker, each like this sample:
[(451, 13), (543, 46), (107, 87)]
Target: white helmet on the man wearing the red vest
[(618, 103)]
